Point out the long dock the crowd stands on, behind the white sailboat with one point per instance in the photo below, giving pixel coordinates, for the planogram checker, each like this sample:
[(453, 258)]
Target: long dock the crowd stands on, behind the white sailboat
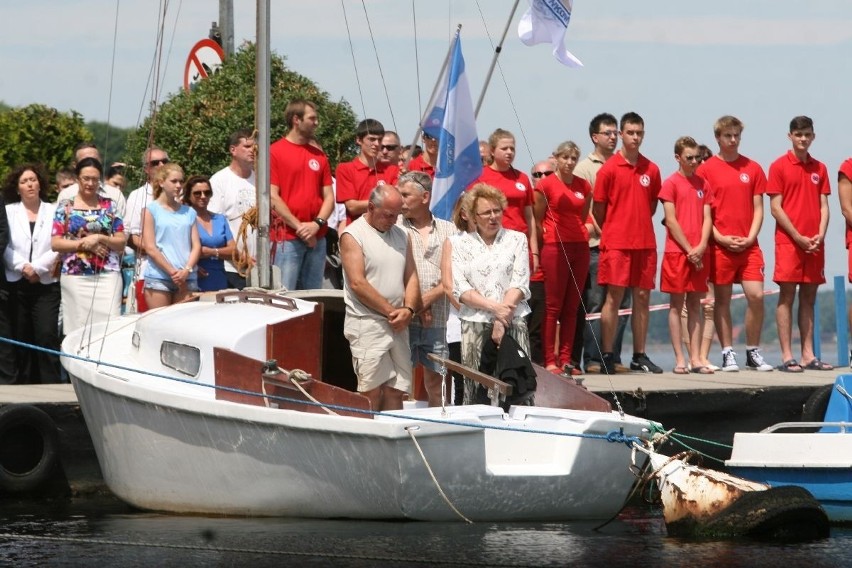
[(706, 409)]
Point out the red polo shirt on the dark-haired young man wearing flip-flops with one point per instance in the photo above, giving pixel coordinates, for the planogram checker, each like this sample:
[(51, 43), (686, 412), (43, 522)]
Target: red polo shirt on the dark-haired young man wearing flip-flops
[(800, 183)]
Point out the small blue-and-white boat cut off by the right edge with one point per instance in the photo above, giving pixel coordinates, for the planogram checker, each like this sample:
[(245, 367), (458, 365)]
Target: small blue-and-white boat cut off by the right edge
[(813, 455)]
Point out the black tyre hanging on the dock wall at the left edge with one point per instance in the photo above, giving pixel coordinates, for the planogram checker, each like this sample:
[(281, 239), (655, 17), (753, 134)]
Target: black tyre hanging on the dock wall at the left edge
[(28, 447)]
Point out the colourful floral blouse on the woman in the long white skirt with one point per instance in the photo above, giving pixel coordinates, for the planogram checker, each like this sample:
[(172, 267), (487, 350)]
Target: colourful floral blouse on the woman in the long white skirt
[(75, 224)]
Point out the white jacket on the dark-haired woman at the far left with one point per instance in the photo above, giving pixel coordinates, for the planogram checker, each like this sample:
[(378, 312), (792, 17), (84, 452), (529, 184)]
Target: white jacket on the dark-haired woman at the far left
[(27, 247)]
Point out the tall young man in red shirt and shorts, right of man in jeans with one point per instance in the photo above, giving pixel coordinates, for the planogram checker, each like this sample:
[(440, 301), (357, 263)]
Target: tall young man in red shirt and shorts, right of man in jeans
[(625, 199)]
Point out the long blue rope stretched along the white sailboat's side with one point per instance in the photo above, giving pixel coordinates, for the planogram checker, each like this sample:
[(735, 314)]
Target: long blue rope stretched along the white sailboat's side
[(614, 436)]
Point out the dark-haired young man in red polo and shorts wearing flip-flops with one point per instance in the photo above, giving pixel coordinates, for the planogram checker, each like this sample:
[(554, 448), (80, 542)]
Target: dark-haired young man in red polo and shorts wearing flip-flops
[(798, 189)]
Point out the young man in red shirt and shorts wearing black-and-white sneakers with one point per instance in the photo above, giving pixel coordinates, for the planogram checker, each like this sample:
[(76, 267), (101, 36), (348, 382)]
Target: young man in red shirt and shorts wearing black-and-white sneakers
[(738, 186)]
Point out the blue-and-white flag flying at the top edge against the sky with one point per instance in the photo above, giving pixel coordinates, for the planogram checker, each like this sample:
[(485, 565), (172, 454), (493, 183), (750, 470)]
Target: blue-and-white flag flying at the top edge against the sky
[(546, 22)]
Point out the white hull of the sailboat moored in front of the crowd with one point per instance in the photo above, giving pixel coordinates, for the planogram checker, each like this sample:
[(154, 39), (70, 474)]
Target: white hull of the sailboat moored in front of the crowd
[(184, 455)]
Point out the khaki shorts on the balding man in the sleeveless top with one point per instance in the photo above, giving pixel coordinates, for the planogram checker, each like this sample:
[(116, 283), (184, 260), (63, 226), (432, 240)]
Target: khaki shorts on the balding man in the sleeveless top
[(380, 356)]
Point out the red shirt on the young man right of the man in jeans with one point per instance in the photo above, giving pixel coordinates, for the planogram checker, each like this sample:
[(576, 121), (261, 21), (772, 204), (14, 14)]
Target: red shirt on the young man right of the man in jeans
[(630, 194)]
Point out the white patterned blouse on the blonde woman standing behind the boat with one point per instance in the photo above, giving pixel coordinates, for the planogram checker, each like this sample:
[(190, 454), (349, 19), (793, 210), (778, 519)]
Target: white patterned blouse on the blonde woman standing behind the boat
[(490, 270)]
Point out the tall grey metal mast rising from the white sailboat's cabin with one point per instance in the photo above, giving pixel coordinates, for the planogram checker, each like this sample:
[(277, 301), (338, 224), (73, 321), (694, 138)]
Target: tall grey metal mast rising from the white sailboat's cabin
[(262, 80)]
